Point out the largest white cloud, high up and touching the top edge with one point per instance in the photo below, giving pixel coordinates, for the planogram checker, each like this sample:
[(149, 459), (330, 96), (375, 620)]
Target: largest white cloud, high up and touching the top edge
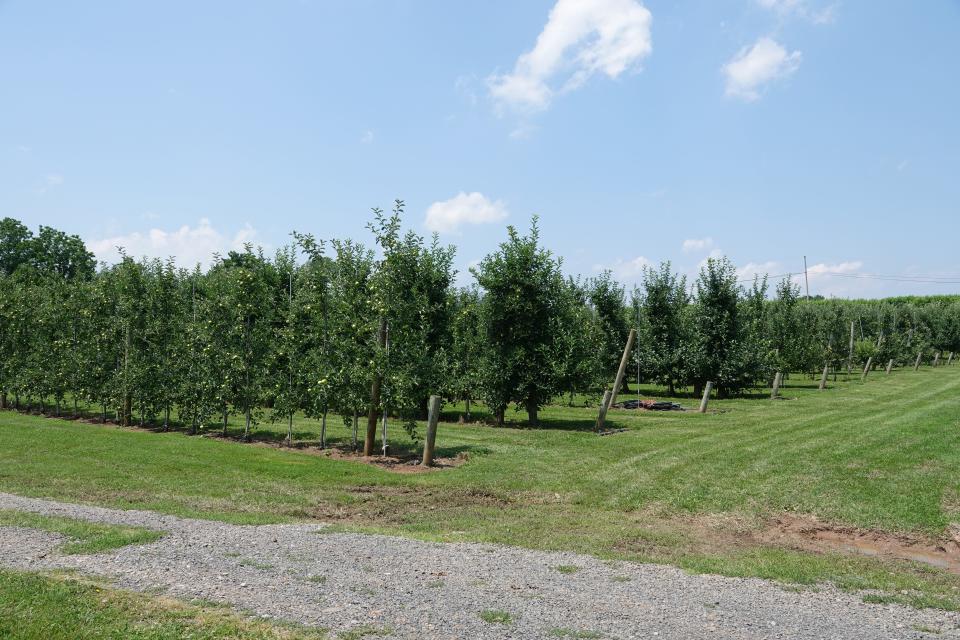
[(581, 38)]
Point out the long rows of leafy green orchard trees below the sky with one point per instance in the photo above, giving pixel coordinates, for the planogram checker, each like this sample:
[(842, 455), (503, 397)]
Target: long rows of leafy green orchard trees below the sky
[(337, 328)]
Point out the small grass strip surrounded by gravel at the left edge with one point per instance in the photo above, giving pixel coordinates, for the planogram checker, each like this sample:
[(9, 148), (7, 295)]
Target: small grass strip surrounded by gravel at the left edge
[(86, 537)]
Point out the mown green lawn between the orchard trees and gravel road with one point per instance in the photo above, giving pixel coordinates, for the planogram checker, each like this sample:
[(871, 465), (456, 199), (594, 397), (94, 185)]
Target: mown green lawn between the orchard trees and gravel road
[(693, 490)]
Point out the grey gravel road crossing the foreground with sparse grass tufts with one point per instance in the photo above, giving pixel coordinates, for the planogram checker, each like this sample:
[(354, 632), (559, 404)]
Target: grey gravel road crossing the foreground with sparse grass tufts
[(414, 589)]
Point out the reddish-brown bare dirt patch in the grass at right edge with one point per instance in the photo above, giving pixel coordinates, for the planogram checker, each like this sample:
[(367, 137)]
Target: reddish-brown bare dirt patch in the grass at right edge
[(811, 534)]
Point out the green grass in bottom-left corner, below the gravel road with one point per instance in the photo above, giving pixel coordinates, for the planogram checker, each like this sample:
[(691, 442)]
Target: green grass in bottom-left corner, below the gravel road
[(57, 607)]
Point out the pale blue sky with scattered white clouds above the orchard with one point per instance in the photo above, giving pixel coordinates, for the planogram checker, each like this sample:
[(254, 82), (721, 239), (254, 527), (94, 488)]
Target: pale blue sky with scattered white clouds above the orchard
[(638, 131)]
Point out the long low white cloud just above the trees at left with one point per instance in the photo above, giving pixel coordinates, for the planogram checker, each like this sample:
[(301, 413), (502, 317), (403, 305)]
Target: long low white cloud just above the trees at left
[(189, 245)]
